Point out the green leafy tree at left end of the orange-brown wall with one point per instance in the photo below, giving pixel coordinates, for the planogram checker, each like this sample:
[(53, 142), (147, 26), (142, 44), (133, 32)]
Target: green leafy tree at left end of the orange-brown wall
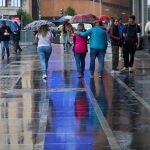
[(26, 18)]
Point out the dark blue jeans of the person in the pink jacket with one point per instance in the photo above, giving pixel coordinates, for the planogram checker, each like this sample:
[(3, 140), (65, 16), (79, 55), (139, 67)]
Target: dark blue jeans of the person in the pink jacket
[(80, 62)]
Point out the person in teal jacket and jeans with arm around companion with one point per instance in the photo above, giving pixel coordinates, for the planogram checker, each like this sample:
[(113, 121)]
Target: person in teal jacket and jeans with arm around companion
[(98, 46)]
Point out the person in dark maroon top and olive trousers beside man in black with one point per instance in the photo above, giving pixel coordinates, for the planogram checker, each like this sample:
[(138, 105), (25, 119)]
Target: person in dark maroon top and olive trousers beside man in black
[(115, 39)]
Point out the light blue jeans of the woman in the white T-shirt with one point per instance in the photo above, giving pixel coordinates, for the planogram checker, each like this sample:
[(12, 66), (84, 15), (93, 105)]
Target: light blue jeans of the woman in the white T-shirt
[(44, 53)]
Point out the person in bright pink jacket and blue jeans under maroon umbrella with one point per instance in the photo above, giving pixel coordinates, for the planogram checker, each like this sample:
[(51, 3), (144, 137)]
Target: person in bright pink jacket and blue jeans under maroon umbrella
[(80, 49)]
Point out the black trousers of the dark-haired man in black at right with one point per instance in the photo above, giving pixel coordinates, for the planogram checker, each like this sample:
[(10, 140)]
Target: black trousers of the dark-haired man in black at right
[(128, 53)]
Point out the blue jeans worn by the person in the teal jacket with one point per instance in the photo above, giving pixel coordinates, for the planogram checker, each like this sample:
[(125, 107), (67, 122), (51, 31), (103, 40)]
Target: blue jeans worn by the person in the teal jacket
[(100, 54)]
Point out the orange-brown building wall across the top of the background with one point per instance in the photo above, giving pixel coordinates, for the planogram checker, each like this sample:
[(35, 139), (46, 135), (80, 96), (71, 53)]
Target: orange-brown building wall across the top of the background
[(109, 7)]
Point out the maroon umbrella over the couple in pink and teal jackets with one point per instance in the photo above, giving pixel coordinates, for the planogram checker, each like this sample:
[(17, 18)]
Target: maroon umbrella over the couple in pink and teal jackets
[(83, 18)]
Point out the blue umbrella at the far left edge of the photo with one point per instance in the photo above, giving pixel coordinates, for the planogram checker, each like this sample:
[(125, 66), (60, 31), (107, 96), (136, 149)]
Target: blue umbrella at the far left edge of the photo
[(13, 26)]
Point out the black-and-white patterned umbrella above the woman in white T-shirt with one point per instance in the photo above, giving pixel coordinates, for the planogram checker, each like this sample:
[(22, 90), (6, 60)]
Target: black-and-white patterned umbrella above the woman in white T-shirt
[(35, 25)]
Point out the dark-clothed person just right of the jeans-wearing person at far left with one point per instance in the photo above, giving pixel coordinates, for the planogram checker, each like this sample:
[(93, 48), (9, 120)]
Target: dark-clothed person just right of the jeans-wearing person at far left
[(16, 39)]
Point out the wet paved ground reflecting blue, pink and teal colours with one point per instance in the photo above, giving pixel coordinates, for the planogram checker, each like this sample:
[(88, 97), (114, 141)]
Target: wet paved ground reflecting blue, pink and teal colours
[(67, 113)]
